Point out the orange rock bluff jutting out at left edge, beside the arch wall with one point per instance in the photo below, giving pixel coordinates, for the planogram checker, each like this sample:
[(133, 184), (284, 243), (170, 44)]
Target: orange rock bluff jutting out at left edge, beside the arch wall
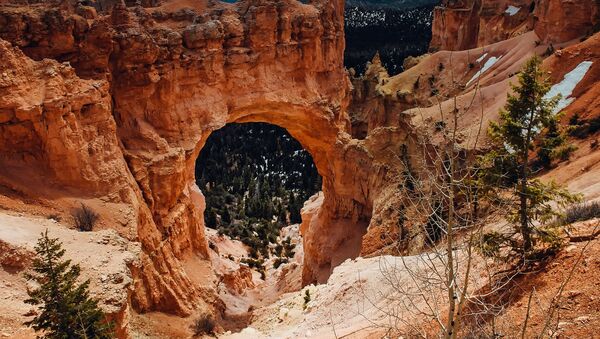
[(58, 122)]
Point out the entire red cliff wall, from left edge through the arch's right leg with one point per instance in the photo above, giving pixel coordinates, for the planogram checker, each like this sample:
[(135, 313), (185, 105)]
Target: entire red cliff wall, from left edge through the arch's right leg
[(161, 79)]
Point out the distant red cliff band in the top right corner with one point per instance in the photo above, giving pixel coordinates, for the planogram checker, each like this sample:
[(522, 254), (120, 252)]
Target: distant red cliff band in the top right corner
[(465, 24)]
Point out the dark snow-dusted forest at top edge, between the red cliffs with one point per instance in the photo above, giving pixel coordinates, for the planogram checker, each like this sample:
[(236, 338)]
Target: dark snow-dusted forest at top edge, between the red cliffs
[(397, 29)]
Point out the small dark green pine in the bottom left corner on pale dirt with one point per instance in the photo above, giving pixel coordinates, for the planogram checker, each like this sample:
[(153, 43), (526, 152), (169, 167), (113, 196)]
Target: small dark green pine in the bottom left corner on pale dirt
[(66, 309)]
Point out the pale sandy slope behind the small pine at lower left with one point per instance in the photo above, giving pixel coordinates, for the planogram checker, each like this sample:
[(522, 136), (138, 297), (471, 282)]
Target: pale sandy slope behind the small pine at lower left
[(105, 258)]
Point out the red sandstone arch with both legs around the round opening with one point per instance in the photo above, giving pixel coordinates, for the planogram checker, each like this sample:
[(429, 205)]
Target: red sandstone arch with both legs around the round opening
[(294, 79)]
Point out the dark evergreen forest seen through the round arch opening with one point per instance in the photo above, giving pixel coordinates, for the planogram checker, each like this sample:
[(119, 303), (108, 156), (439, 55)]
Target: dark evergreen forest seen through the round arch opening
[(256, 178)]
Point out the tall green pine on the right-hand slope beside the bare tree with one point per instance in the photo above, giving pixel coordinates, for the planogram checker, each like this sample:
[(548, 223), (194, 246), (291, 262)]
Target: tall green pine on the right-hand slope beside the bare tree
[(527, 115)]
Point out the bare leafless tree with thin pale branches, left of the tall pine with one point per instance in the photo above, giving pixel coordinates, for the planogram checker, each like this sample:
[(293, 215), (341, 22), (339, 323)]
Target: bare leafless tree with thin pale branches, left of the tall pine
[(441, 202)]
